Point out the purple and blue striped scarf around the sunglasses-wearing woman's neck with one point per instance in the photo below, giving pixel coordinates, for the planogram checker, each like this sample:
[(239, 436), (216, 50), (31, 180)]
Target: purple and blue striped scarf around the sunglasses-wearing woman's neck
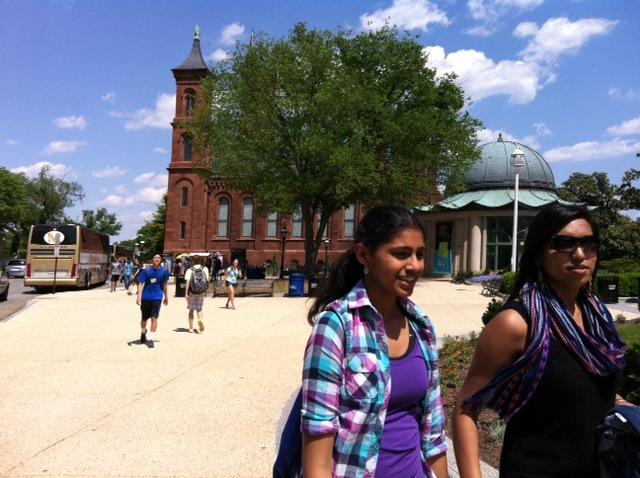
[(600, 349)]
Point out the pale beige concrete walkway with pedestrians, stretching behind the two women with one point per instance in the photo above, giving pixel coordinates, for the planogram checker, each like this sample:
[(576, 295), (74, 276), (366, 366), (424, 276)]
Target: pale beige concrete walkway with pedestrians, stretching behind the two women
[(81, 397)]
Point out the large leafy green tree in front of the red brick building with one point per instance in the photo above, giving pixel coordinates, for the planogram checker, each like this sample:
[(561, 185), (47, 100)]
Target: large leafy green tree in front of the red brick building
[(320, 120)]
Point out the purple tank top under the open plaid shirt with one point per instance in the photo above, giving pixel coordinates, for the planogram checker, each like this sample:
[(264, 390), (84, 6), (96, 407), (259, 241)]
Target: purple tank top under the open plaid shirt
[(400, 451)]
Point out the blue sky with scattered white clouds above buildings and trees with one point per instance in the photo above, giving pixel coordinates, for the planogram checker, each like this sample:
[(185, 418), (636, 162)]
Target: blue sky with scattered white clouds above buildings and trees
[(87, 86)]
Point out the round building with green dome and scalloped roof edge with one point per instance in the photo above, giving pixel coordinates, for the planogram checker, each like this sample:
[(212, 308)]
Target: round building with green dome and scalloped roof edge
[(473, 230)]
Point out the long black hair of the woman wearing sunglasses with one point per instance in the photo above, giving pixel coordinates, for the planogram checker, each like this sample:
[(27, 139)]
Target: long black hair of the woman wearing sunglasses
[(547, 223)]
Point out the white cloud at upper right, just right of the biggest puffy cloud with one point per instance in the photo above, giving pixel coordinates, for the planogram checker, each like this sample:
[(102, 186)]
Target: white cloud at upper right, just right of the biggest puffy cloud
[(559, 36)]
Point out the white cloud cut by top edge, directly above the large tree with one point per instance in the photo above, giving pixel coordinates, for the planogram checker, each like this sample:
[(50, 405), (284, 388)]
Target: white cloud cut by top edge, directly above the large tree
[(405, 14)]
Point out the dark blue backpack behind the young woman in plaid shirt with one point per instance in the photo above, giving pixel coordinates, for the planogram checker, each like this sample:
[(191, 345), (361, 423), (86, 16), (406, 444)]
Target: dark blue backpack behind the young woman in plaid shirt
[(289, 460)]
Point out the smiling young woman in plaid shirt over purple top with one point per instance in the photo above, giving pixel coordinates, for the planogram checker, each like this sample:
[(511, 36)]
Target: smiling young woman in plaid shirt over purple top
[(371, 403)]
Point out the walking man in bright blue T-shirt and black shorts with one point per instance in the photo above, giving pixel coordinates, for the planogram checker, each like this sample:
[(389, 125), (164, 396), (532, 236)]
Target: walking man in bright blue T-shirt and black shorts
[(152, 287)]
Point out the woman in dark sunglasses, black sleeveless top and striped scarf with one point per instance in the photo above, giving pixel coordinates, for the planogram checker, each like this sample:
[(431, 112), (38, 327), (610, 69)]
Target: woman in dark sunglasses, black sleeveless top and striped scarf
[(550, 362)]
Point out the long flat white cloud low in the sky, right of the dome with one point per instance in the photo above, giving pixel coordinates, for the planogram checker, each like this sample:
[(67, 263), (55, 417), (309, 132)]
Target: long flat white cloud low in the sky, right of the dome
[(590, 150)]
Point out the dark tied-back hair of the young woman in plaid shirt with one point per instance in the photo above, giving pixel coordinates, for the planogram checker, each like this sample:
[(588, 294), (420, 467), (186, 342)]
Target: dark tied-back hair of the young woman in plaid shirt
[(379, 226)]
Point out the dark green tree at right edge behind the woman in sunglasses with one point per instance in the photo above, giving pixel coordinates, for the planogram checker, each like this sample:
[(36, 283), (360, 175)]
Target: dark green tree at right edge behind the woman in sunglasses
[(620, 234)]
